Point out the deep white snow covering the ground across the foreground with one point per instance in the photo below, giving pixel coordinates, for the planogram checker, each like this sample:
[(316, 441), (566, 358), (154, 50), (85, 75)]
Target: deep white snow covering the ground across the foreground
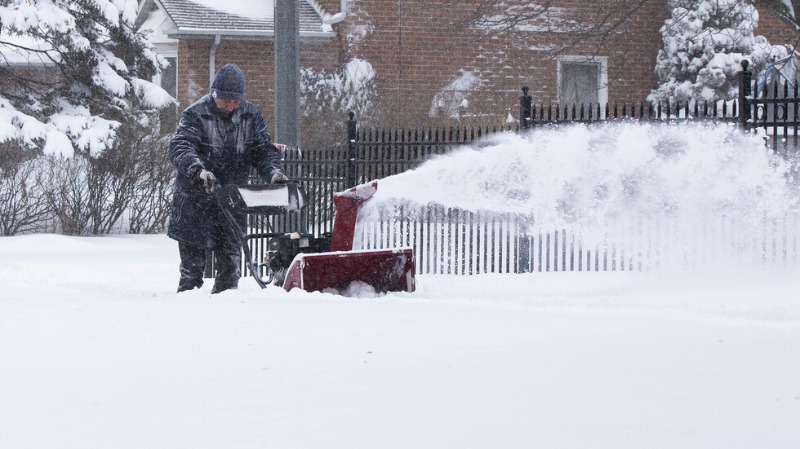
[(97, 351)]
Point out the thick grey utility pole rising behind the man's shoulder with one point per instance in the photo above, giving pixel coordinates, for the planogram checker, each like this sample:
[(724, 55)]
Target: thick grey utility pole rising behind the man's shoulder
[(287, 73)]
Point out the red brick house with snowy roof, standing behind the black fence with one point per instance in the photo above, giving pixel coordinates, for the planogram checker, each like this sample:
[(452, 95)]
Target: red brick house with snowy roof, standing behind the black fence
[(429, 57)]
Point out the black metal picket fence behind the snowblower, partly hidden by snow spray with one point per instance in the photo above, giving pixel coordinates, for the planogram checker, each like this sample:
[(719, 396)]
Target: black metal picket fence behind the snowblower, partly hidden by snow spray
[(475, 243)]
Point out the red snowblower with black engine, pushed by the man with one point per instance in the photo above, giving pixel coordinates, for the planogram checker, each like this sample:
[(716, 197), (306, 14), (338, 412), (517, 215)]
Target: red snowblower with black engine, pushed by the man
[(325, 263)]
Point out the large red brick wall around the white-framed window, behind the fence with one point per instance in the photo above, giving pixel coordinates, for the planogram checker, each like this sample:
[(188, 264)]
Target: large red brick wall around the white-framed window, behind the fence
[(419, 47)]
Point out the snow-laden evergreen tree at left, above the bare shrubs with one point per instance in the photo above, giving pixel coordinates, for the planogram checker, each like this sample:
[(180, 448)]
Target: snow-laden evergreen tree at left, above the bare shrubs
[(72, 72)]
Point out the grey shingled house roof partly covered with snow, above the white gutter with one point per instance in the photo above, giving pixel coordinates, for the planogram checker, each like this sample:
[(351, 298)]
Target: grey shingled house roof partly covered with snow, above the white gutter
[(192, 18)]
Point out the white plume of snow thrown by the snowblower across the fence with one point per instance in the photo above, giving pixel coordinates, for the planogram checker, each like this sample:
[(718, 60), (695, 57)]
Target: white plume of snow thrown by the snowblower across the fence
[(601, 197)]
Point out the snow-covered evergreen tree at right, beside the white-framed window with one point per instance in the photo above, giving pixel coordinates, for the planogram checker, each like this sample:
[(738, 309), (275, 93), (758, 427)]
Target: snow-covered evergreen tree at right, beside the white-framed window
[(704, 43)]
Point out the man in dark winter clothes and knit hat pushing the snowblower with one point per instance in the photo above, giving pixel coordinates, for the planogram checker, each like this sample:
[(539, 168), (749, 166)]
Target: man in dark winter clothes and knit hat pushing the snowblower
[(219, 139)]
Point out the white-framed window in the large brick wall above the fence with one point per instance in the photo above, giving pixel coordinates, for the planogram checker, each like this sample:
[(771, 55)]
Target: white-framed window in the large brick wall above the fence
[(582, 80)]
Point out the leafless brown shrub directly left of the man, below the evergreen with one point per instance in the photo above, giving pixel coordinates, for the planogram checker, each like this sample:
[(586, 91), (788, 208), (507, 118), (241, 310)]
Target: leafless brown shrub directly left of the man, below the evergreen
[(127, 188)]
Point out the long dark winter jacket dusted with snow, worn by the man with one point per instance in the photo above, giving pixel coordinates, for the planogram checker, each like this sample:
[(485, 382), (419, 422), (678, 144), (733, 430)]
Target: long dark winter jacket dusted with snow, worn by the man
[(228, 147)]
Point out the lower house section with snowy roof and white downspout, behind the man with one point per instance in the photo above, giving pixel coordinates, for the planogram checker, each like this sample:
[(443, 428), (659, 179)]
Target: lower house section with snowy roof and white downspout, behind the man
[(197, 40)]
